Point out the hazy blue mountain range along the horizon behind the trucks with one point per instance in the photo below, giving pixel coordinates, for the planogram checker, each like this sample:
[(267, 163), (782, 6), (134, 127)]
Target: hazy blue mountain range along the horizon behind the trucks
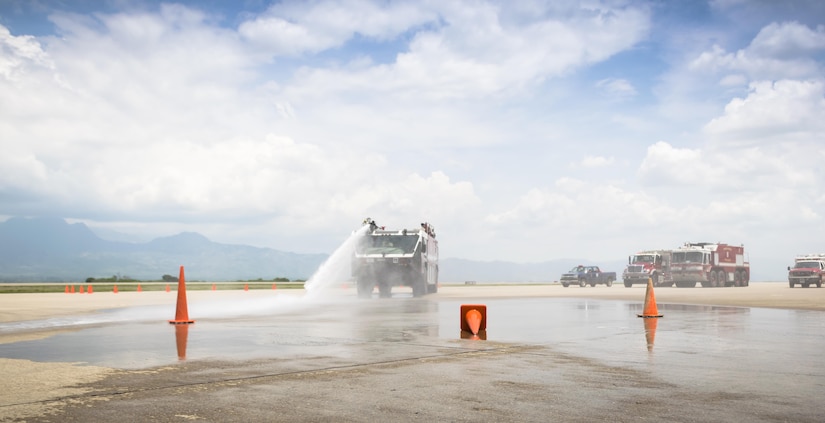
[(50, 249)]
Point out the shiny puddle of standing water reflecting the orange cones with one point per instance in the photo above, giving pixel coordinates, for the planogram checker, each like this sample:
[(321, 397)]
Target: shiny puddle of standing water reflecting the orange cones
[(608, 331)]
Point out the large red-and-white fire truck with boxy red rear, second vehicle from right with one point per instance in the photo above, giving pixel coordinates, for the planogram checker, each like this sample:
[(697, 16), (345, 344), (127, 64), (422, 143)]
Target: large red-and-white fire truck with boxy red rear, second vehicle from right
[(710, 264)]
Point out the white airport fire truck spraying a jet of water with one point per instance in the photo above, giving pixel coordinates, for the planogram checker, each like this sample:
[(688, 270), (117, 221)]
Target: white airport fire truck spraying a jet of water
[(388, 258)]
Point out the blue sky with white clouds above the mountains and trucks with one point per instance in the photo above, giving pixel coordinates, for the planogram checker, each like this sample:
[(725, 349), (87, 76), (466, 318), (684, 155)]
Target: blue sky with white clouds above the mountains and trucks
[(523, 131)]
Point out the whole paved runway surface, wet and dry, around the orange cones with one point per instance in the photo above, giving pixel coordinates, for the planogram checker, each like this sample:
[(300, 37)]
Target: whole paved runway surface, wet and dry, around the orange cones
[(550, 354)]
